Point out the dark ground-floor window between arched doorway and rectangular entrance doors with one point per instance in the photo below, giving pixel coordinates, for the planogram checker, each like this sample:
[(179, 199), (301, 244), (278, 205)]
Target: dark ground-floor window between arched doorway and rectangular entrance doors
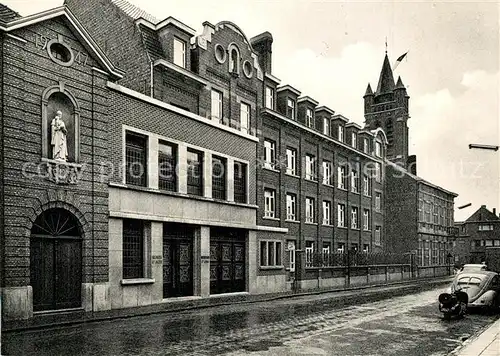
[(133, 249)]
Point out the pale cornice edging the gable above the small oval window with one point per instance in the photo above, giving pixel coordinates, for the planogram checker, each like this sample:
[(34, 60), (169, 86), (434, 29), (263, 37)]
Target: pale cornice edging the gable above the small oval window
[(80, 32)]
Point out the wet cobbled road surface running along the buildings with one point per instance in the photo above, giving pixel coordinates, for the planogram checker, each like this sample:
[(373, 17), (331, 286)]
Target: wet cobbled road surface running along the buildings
[(407, 325)]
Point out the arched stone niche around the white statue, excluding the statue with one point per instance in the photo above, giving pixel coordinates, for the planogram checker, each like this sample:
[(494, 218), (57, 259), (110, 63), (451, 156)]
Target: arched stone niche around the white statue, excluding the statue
[(58, 98)]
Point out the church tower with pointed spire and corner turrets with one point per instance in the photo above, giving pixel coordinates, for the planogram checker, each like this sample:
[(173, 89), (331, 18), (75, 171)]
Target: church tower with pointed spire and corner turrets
[(387, 108)]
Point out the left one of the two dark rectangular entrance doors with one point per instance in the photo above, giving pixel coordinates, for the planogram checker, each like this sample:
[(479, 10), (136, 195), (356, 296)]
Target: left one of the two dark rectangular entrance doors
[(177, 260)]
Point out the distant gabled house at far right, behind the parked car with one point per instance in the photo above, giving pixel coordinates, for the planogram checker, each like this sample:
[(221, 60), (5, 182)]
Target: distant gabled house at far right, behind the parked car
[(475, 235)]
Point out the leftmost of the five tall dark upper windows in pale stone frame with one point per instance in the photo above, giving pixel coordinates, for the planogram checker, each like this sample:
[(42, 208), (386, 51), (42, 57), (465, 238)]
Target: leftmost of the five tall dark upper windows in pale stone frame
[(136, 158)]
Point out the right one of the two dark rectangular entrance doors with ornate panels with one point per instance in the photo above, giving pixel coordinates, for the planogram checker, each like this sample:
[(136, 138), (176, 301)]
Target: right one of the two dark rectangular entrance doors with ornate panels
[(227, 260)]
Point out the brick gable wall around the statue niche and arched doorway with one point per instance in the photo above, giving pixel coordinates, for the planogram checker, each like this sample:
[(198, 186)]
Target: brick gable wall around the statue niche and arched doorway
[(28, 71)]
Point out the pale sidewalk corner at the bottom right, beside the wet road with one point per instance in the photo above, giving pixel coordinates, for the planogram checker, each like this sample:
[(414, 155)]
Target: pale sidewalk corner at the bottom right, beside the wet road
[(485, 344)]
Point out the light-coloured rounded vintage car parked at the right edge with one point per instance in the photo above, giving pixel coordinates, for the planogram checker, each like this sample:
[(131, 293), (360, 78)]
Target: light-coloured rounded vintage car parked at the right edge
[(482, 288)]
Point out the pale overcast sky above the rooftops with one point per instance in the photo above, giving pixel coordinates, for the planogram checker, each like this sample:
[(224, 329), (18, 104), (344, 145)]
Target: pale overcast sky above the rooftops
[(330, 50)]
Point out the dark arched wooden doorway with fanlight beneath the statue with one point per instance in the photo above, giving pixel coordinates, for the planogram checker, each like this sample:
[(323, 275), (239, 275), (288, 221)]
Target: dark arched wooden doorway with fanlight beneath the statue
[(56, 261)]
